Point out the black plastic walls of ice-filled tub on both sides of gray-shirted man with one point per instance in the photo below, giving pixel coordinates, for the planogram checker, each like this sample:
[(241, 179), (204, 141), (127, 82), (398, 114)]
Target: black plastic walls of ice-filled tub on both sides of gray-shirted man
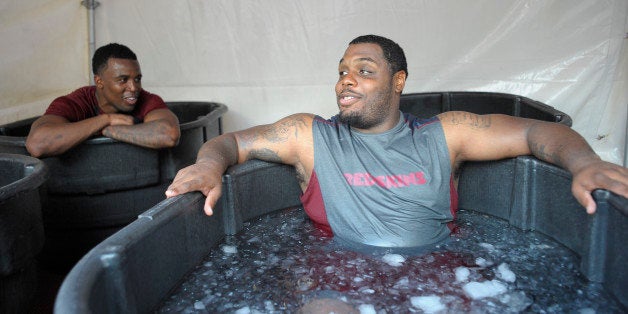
[(136, 268)]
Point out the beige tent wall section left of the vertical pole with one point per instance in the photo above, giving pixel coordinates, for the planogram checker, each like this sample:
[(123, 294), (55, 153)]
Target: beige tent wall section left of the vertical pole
[(43, 54)]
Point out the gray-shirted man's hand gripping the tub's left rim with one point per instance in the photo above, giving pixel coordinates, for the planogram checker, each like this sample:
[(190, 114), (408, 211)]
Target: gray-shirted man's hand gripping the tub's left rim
[(198, 177)]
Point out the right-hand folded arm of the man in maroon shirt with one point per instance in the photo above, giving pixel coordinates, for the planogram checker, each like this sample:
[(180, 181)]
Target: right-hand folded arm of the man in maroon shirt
[(160, 129)]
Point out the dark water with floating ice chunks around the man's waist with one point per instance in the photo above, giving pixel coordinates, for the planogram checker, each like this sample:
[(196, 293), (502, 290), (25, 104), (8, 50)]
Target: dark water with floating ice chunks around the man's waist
[(281, 263)]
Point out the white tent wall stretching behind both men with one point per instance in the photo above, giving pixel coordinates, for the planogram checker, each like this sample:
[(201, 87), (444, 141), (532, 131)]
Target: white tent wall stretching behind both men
[(268, 59)]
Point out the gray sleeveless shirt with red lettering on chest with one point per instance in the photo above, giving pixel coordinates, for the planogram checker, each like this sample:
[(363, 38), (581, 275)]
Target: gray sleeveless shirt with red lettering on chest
[(390, 189)]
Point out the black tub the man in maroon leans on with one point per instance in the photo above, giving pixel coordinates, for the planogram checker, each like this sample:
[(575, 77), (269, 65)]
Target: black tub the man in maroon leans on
[(101, 185)]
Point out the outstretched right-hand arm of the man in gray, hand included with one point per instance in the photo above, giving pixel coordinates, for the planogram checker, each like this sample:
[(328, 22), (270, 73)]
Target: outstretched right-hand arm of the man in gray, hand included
[(489, 137)]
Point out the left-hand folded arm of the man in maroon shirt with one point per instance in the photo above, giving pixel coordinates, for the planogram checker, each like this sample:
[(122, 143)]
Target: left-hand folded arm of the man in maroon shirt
[(53, 135)]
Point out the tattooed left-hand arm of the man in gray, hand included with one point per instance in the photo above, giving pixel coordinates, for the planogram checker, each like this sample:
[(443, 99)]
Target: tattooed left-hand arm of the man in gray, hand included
[(287, 141)]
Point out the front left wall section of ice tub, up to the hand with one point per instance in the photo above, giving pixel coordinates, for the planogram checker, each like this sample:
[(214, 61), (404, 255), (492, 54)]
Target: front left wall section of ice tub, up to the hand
[(121, 269)]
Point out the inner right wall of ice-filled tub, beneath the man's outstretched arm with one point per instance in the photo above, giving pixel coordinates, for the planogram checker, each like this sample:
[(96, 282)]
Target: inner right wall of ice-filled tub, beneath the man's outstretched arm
[(540, 199)]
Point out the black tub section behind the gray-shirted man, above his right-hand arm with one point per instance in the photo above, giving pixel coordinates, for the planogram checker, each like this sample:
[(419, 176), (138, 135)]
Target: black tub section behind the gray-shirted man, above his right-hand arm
[(425, 105)]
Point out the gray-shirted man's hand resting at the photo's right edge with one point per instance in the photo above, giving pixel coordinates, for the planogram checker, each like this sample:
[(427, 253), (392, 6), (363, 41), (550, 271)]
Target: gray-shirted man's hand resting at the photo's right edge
[(598, 175)]
